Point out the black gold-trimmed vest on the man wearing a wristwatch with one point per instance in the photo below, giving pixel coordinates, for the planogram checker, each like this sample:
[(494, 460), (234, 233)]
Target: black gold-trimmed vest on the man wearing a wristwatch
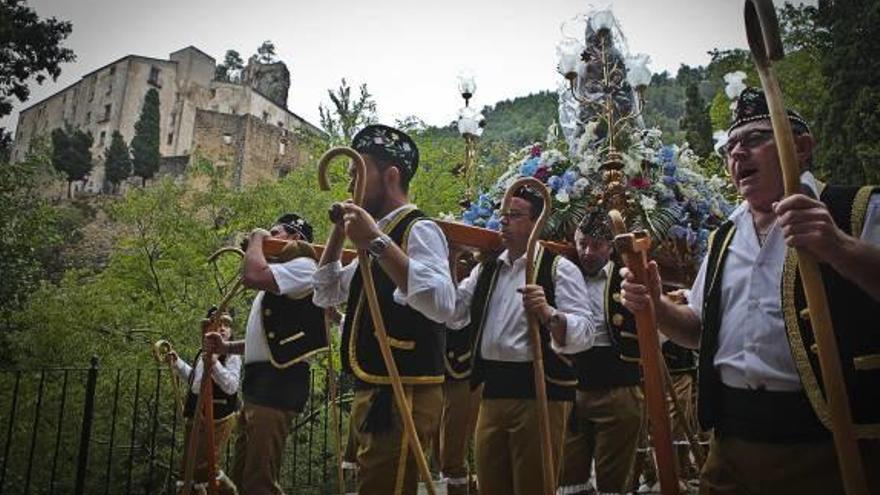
[(361, 310)]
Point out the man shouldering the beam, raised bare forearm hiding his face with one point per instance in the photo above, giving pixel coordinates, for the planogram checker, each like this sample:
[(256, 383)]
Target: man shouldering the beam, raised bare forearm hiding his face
[(284, 329)]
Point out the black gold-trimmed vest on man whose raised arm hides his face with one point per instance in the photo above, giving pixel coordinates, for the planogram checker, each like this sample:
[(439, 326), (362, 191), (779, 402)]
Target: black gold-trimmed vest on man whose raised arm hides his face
[(291, 344)]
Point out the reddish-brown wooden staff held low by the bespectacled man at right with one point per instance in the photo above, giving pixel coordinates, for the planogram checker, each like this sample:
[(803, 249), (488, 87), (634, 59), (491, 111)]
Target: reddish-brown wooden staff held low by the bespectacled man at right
[(633, 248)]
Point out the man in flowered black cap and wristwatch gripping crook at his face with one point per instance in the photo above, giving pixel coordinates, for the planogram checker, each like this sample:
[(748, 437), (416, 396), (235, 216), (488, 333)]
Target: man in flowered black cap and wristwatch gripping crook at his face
[(408, 261)]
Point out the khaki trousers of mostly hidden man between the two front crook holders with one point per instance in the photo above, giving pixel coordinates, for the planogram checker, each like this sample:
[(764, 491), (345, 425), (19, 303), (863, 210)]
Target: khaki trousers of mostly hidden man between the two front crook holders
[(457, 424)]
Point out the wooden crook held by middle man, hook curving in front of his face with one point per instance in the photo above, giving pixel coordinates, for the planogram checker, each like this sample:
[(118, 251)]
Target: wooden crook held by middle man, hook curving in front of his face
[(548, 466)]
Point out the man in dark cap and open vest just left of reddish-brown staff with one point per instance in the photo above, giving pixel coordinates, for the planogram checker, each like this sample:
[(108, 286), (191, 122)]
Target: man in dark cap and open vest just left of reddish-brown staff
[(605, 423)]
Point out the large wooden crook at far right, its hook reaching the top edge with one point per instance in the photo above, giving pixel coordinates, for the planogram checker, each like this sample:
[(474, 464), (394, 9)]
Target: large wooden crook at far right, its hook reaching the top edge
[(762, 29)]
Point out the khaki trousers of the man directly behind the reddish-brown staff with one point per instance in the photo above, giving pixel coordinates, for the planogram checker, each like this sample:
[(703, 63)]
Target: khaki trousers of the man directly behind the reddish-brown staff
[(608, 424)]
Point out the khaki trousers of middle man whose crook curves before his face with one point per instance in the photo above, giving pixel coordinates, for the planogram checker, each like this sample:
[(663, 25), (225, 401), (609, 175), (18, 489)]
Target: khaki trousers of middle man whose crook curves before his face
[(508, 445)]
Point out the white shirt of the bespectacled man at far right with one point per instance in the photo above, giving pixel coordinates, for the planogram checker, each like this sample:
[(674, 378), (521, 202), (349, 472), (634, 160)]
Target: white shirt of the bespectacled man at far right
[(753, 350)]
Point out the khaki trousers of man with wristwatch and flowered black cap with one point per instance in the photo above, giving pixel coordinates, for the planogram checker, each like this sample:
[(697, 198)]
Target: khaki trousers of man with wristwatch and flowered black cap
[(386, 463)]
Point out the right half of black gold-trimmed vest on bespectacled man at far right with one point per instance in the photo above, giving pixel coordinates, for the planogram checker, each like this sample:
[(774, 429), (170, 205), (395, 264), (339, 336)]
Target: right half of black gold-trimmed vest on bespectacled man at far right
[(848, 208)]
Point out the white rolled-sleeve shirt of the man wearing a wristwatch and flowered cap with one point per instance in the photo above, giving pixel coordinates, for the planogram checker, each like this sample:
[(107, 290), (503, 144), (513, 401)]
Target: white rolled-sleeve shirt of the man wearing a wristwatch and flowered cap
[(430, 288)]
